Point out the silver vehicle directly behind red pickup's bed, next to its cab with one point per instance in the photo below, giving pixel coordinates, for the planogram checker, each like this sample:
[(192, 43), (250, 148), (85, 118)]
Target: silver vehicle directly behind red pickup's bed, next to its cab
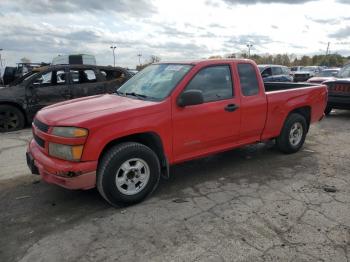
[(275, 73)]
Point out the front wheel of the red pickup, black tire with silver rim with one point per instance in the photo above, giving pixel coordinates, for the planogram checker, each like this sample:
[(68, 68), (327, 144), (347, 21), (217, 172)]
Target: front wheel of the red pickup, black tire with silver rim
[(123, 166)]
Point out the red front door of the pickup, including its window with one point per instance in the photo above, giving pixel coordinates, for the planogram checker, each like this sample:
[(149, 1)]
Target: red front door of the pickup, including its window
[(208, 127)]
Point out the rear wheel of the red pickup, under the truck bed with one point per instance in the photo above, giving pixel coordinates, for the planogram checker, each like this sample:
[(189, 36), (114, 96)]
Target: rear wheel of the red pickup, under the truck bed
[(290, 141)]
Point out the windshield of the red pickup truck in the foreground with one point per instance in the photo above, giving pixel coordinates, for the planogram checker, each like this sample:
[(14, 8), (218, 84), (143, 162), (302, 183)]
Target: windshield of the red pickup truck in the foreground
[(155, 81)]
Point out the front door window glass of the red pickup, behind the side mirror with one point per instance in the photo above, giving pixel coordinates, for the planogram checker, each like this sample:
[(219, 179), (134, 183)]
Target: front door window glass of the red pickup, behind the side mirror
[(215, 83)]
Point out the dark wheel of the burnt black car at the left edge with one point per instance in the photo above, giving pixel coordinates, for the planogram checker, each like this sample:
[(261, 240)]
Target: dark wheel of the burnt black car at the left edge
[(11, 118)]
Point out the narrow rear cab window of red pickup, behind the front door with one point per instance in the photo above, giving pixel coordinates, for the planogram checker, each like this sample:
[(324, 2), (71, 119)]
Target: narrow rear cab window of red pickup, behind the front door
[(248, 79)]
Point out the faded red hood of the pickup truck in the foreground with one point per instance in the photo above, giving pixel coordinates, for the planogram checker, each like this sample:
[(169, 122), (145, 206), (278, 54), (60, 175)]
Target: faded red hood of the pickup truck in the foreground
[(81, 110)]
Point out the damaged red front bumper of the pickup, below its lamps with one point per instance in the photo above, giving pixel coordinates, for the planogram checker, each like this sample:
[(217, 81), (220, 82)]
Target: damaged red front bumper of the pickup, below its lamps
[(71, 175)]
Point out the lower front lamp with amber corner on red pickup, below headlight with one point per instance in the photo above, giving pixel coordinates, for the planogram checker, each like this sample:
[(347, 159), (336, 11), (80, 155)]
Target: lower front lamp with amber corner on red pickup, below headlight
[(66, 152)]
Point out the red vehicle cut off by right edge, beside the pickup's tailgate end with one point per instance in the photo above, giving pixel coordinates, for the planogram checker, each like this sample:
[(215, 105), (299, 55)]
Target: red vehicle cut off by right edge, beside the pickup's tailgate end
[(339, 91)]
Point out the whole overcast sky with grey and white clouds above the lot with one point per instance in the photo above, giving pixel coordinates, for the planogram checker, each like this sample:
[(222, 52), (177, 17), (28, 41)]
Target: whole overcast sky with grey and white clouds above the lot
[(172, 30)]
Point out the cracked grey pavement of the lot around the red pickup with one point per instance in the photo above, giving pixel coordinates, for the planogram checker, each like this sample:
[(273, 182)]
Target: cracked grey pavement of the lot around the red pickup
[(248, 204)]
